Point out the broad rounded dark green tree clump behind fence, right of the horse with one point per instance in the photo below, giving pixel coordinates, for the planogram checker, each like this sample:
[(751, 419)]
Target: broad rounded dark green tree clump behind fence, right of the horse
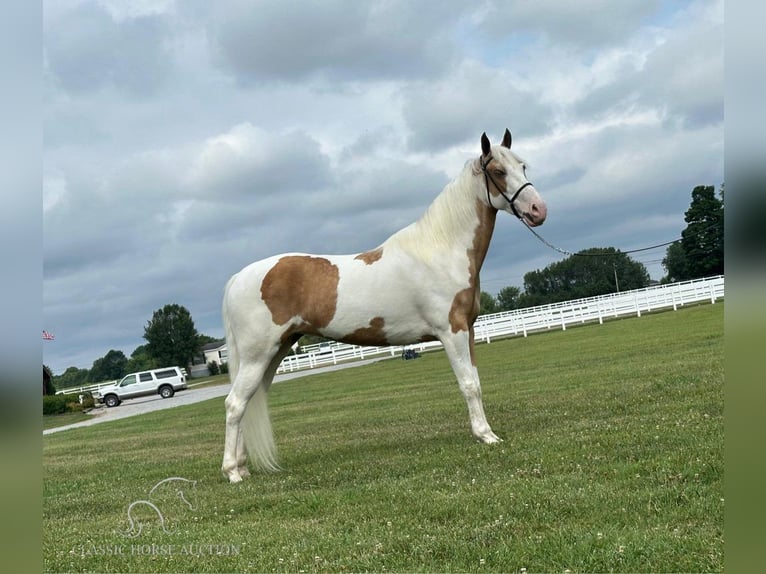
[(591, 272)]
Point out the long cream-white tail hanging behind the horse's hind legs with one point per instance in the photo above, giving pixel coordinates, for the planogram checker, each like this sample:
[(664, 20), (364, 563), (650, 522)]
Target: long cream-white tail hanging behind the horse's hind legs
[(256, 423)]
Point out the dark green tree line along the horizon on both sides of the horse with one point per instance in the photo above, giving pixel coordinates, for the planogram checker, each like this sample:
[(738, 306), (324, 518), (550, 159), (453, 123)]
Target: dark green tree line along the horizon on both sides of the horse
[(172, 339)]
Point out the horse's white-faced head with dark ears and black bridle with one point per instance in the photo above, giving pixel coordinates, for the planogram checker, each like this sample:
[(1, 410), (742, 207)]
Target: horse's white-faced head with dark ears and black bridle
[(507, 186)]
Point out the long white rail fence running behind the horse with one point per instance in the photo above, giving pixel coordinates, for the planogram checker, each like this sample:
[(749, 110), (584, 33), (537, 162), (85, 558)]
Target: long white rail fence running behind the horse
[(522, 322)]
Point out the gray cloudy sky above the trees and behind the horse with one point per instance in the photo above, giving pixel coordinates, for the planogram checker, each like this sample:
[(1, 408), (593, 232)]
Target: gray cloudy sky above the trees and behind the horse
[(186, 139)]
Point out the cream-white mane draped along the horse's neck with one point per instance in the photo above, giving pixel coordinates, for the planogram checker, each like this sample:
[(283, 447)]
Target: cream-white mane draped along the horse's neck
[(452, 212)]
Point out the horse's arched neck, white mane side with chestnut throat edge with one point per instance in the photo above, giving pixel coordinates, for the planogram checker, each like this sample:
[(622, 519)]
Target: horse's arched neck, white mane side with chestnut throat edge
[(456, 222)]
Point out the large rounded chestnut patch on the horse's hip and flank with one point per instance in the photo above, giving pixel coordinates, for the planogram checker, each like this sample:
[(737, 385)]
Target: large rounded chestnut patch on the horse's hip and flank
[(301, 286)]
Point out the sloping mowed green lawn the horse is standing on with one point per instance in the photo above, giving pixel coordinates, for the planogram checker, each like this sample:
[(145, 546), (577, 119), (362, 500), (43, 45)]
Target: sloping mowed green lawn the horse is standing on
[(612, 462)]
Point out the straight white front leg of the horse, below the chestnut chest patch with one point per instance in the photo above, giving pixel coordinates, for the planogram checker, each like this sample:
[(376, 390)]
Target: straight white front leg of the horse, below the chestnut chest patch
[(459, 348)]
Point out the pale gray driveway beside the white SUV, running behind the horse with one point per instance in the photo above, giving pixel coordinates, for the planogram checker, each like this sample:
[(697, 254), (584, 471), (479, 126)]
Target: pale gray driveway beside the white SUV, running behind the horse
[(132, 407)]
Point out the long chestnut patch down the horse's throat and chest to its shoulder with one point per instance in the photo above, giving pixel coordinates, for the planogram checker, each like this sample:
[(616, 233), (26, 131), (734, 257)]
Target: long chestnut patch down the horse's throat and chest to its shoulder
[(466, 303)]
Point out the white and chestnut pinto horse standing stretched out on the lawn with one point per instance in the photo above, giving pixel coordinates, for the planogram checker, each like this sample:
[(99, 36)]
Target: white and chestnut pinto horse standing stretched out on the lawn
[(420, 284)]
